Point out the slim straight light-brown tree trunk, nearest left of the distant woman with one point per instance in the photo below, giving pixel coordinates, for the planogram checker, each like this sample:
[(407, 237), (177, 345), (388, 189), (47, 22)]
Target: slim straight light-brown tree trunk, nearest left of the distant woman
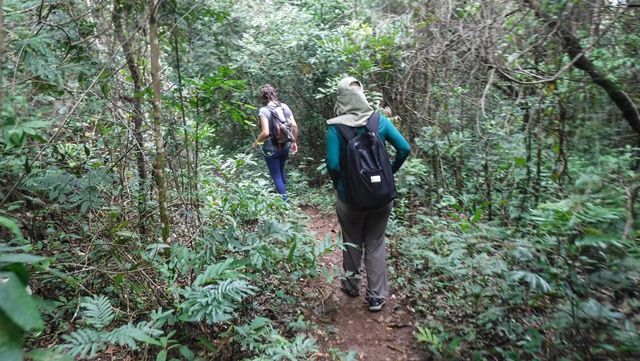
[(160, 163)]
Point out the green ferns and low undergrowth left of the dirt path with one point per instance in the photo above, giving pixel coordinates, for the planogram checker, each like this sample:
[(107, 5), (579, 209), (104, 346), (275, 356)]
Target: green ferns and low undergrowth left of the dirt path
[(224, 287)]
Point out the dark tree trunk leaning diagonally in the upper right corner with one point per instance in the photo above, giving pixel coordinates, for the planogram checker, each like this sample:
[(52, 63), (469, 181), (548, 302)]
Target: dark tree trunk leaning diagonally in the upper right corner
[(572, 47)]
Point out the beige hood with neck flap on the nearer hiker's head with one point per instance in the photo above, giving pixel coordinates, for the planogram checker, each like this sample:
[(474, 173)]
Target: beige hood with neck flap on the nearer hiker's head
[(352, 107)]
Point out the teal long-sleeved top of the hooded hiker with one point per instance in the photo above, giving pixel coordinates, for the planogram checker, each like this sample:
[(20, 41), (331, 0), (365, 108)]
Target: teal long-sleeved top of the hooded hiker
[(386, 132)]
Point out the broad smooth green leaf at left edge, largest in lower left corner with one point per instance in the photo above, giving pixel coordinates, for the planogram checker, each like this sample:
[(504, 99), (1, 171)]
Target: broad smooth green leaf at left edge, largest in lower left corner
[(17, 304)]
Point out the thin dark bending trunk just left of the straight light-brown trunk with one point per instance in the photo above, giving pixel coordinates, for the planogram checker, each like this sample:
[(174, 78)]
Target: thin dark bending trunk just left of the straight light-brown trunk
[(137, 115)]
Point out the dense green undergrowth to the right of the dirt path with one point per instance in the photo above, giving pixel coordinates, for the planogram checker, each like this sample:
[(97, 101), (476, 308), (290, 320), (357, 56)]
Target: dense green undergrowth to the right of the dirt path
[(559, 281)]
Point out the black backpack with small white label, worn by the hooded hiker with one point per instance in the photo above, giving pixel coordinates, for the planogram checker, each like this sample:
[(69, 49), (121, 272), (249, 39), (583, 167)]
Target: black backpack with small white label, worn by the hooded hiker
[(365, 167)]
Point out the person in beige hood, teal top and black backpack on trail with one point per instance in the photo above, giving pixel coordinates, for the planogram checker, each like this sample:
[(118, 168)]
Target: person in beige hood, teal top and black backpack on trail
[(362, 175)]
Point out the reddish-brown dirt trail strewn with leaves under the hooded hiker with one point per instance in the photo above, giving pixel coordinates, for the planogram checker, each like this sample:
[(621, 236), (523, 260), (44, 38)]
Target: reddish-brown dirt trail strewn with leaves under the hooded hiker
[(345, 323)]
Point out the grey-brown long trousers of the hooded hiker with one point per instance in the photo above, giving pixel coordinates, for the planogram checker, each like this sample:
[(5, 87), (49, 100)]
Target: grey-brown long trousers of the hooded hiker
[(364, 229)]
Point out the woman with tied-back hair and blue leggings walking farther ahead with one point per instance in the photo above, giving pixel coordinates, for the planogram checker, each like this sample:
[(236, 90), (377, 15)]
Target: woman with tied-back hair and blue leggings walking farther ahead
[(278, 134)]
